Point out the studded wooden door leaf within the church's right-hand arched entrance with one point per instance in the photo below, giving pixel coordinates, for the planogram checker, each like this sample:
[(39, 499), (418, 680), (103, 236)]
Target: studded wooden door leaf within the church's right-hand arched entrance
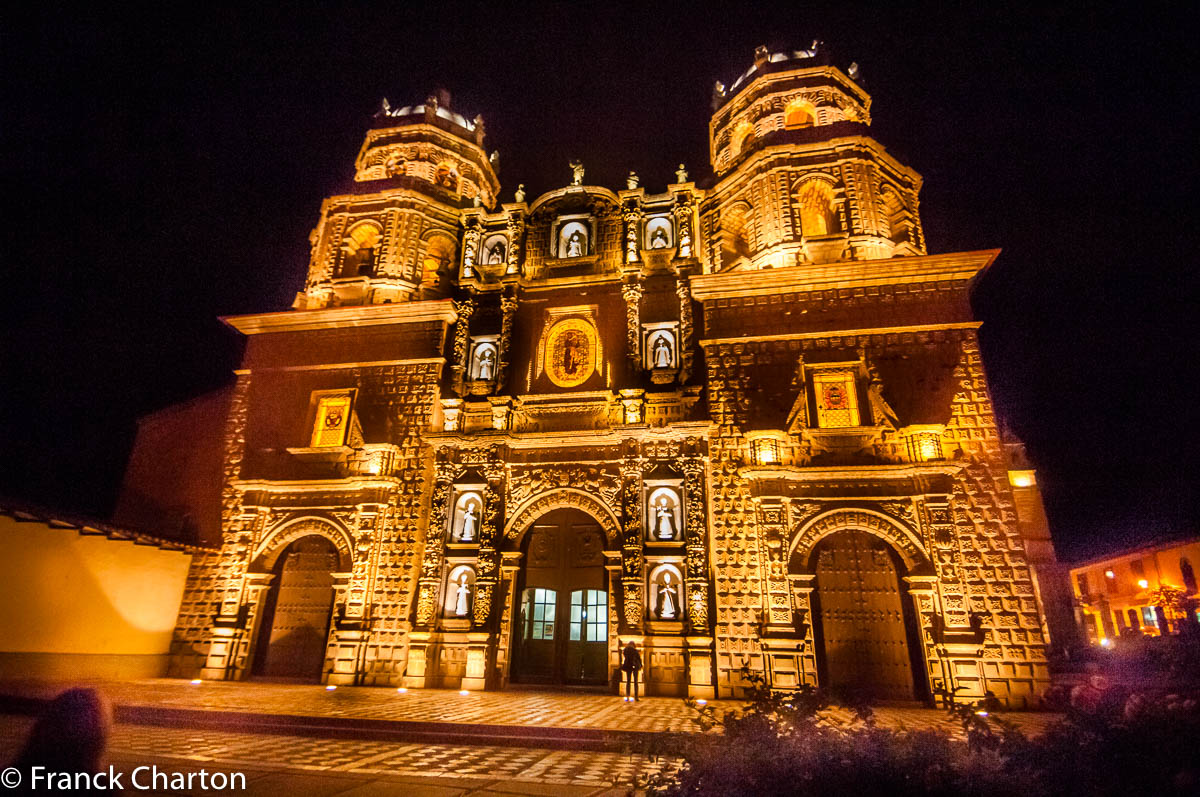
[(862, 618)]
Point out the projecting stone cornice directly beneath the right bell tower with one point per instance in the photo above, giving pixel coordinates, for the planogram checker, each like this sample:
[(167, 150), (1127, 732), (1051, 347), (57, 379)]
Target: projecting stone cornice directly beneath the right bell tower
[(843, 275)]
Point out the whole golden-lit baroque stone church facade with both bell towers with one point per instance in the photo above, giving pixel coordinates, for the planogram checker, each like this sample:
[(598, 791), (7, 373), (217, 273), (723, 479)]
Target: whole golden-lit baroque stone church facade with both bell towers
[(745, 427)]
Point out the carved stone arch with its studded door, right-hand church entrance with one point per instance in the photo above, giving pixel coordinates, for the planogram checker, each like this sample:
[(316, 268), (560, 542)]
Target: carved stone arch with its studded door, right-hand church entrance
[(866, 628)]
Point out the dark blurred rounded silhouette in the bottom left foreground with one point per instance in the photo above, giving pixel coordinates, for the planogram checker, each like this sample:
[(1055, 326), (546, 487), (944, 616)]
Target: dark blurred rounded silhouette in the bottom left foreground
[(70, 736)]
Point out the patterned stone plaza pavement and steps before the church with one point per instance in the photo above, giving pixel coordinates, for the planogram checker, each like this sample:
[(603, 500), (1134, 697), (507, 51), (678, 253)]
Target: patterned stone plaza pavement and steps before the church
[(307, 740)]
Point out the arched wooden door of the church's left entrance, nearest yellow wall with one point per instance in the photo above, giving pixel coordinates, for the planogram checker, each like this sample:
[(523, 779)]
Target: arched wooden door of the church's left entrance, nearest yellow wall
[(299, 607)]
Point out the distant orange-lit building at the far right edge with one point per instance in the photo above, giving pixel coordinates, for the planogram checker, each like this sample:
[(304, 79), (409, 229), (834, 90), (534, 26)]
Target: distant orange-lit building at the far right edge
[(1148, 591)]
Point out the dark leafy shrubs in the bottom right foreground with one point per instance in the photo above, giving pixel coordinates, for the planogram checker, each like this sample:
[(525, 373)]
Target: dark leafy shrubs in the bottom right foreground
[(793, 744)]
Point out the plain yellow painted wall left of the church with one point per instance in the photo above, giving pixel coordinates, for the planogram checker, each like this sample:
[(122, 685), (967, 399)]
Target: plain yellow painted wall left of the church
[(85, 598)]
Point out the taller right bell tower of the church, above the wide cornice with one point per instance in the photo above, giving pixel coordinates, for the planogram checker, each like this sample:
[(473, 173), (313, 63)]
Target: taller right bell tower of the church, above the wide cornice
[(800, 178)]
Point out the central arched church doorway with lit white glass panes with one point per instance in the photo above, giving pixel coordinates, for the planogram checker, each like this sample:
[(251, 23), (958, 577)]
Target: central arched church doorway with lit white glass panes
[(561, 630)]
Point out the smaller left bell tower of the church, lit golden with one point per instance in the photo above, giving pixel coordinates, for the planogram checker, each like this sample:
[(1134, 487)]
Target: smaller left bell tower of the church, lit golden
[(394, 237)]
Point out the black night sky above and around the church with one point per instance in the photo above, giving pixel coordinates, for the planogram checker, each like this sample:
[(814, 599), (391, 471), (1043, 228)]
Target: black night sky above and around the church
[(161, 171)]
